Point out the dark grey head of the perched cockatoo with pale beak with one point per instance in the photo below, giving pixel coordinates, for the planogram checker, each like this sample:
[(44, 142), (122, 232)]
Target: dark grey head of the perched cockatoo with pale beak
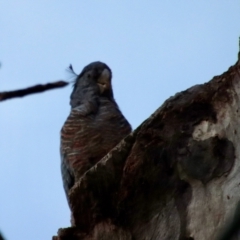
[(93, 81)]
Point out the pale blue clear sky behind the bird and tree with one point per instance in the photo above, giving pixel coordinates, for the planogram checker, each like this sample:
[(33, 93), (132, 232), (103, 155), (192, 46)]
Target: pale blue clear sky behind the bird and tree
[(154, 48)]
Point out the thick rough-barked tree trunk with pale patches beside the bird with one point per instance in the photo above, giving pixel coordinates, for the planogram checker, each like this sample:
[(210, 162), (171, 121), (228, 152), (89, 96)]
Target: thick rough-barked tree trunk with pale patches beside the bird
[(175, 177)]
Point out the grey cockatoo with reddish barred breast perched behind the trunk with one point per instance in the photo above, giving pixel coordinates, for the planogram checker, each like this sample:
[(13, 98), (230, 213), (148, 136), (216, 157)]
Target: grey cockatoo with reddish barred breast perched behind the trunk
[(95, 124)]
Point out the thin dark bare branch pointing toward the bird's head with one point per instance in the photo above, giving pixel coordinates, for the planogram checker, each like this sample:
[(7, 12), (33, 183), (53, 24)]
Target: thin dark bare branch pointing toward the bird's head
[(31, 90)]
